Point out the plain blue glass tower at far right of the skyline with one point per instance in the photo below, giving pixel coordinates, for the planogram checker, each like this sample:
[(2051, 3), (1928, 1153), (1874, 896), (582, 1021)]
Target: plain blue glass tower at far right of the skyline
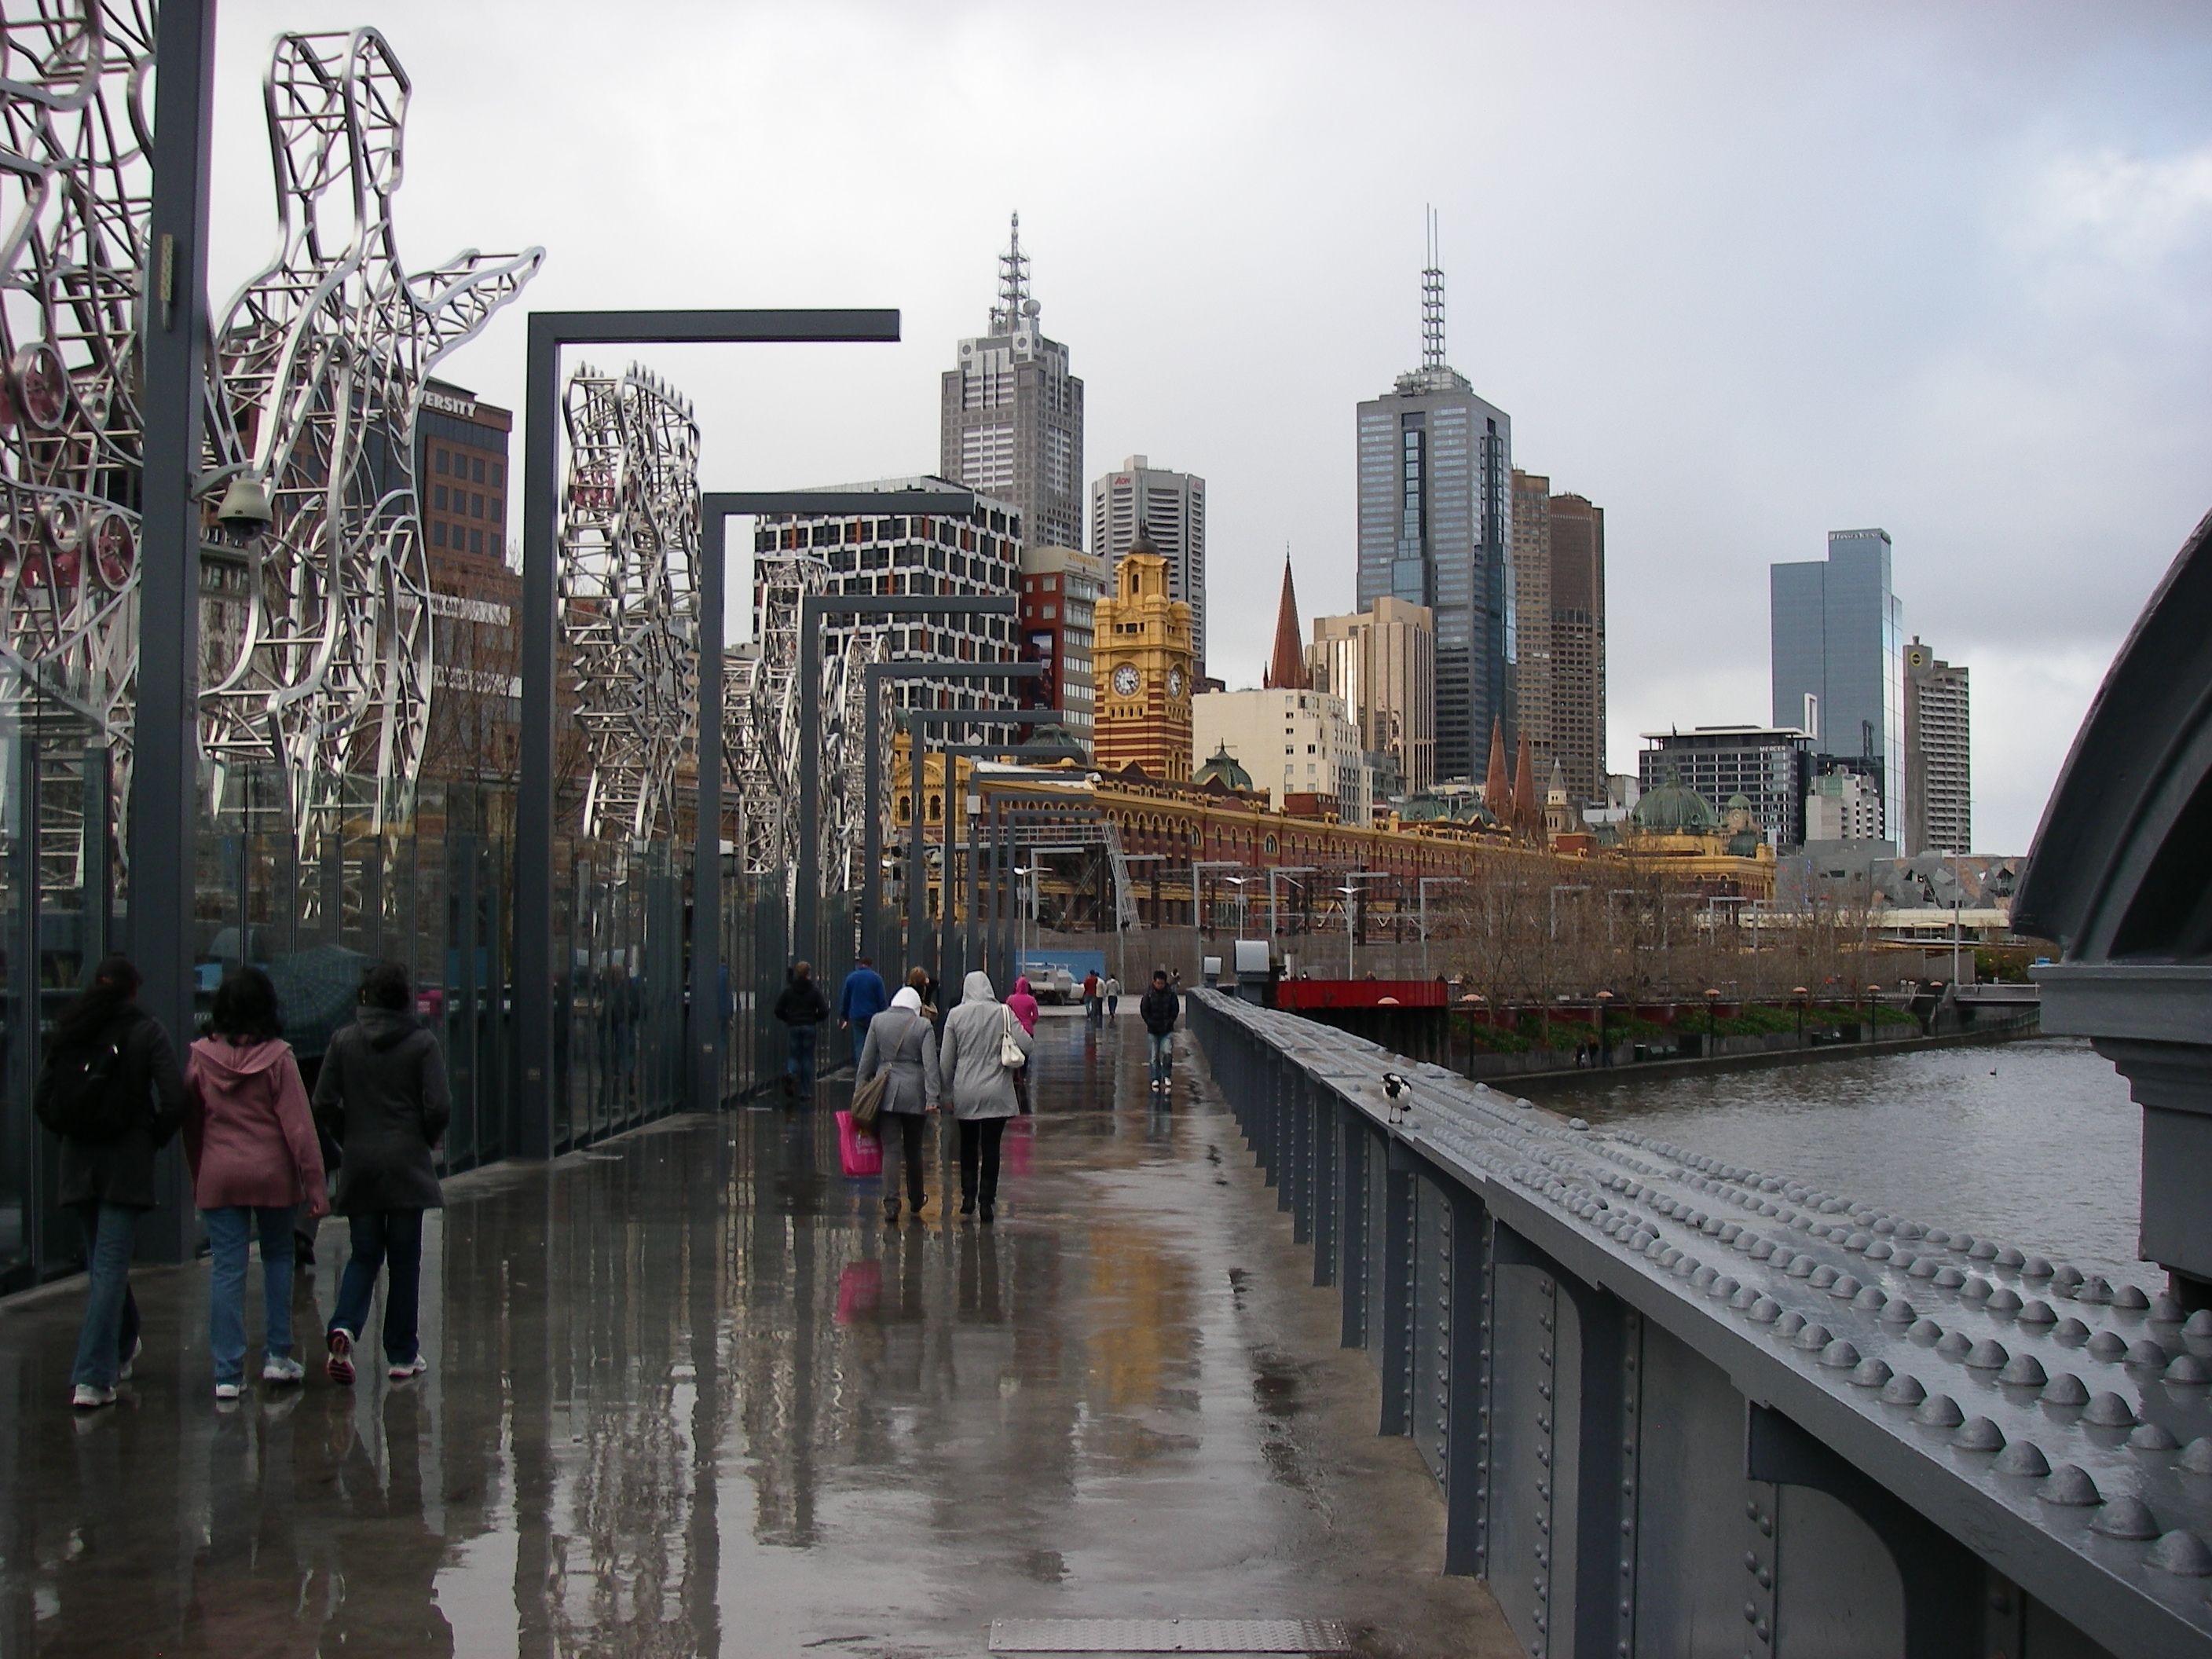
[(1839, 660)]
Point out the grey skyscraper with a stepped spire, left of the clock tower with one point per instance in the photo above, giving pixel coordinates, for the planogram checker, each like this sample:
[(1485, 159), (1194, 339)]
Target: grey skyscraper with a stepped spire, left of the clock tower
[(1012, 417)]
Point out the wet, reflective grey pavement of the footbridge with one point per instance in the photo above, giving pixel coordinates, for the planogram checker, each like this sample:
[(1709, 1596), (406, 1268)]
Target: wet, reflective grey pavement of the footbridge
[(691, 1397)]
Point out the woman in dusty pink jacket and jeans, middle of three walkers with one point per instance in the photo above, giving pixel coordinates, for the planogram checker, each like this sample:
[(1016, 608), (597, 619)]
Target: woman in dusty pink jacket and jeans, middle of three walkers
[(251, 1145)]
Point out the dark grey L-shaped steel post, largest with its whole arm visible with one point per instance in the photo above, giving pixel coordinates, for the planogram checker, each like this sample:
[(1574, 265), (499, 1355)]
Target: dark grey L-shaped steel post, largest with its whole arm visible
[(530, 1129)]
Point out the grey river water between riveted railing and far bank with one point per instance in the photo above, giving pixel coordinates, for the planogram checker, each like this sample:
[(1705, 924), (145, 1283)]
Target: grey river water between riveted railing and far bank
[(2027, 1142)]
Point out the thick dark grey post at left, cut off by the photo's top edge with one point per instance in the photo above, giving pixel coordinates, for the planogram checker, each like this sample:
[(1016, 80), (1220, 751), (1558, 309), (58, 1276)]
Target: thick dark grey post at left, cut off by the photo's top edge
[(165, 773)]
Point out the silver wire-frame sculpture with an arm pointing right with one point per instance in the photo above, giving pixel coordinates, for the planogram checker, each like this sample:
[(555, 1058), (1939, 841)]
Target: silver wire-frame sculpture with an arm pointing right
[(322, 366)]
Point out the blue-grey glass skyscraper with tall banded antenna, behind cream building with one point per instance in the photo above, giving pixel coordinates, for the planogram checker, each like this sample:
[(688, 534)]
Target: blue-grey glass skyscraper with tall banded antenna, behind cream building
[(1437, 525)]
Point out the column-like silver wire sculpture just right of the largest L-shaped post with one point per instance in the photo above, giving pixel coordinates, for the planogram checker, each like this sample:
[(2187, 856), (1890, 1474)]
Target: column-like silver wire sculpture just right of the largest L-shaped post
[(629, 585)]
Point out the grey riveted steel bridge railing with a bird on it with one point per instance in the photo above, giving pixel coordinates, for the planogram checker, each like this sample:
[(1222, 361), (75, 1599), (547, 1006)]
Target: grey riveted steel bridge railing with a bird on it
[(1689, 1408)]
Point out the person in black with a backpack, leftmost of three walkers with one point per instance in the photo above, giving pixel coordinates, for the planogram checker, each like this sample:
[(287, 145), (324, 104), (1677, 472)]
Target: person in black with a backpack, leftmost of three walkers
[(114, 1094)]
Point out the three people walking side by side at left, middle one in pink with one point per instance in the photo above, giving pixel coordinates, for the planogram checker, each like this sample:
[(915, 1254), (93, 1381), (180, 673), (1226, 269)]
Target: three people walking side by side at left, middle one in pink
[(114, 1096)]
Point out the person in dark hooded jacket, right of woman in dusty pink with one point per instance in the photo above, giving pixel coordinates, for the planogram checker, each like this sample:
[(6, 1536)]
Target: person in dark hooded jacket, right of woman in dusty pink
[(386, 1105)]
